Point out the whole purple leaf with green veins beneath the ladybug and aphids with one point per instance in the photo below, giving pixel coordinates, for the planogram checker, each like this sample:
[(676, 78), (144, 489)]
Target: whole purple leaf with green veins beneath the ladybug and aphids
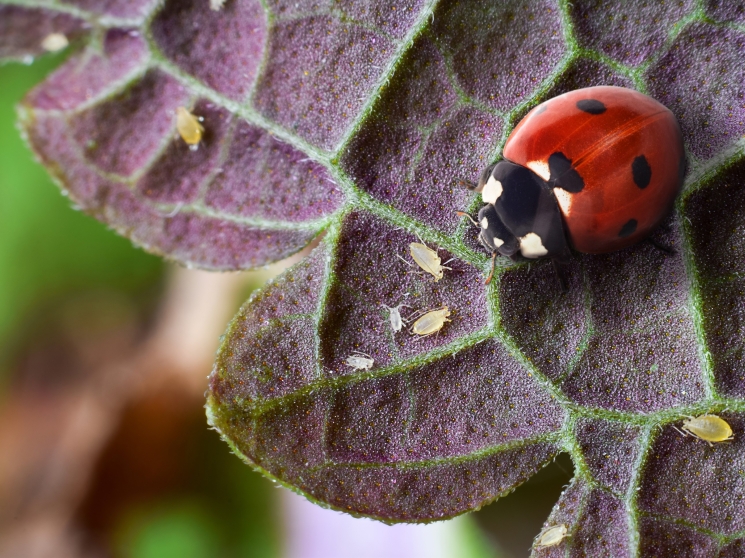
[(358, 120)]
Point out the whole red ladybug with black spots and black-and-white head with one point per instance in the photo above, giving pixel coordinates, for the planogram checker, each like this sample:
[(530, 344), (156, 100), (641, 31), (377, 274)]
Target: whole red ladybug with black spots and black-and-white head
[(595, 169)]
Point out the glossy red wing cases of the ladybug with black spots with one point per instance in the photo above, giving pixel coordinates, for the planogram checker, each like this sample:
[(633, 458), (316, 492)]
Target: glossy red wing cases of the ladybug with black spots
[(626, 147)]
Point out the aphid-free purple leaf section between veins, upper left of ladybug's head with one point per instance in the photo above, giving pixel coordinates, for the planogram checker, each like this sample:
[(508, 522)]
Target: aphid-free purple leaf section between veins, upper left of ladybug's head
[(421, 140)]
